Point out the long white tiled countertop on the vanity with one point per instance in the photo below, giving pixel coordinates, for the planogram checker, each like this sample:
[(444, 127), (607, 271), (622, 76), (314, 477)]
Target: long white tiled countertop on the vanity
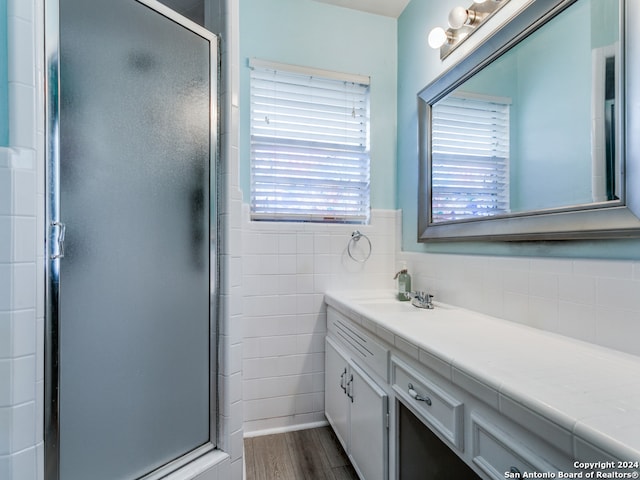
[(579, 389)]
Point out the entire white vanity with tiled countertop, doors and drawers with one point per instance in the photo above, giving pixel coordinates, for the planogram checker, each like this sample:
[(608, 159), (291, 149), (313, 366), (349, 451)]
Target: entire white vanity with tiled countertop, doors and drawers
[(456, 405)]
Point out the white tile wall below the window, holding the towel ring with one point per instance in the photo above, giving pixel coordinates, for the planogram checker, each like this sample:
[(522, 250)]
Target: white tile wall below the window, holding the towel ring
[(286, 268)]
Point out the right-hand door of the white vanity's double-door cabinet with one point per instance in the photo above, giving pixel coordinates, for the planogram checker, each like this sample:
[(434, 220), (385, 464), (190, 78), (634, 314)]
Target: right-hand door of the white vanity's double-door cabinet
[(369, 448)]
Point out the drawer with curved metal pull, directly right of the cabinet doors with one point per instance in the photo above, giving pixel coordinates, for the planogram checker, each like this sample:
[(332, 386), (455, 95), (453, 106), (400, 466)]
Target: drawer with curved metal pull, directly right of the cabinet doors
[(436, 407)]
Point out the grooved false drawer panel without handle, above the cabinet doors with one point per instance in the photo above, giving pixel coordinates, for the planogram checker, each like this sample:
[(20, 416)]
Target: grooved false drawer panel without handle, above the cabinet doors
[(360, 345)]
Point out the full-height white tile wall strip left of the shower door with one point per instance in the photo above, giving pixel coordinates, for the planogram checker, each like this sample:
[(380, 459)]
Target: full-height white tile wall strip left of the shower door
[(20, 258)]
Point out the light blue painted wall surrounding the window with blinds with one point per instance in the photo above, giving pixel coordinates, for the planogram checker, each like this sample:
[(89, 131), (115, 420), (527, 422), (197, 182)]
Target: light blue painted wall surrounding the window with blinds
[(318, 35)]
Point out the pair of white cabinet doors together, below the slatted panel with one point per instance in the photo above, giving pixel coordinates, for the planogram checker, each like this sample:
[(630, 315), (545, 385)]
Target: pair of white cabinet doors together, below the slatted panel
[(357, 409)]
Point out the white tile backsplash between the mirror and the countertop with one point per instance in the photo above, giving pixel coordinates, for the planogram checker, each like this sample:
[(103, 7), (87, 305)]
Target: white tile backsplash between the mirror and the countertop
[(592, 300)]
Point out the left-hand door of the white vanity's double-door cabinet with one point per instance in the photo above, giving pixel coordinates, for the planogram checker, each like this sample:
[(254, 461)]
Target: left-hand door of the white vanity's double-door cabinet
[(336, 402)]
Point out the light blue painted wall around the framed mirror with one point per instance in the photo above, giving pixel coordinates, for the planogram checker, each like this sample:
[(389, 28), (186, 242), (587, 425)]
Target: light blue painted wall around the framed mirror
[(418, 65)]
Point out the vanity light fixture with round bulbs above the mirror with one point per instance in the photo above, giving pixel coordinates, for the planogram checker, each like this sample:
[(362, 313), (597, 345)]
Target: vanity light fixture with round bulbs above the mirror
[(462, 23)]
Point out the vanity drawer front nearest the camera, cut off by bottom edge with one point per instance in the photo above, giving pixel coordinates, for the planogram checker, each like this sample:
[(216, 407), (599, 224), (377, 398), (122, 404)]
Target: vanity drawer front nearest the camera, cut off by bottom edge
[(497, 453)]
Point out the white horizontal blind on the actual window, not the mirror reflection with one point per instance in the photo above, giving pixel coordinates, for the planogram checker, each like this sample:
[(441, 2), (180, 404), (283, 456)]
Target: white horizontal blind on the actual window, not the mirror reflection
[(309, 146)]
